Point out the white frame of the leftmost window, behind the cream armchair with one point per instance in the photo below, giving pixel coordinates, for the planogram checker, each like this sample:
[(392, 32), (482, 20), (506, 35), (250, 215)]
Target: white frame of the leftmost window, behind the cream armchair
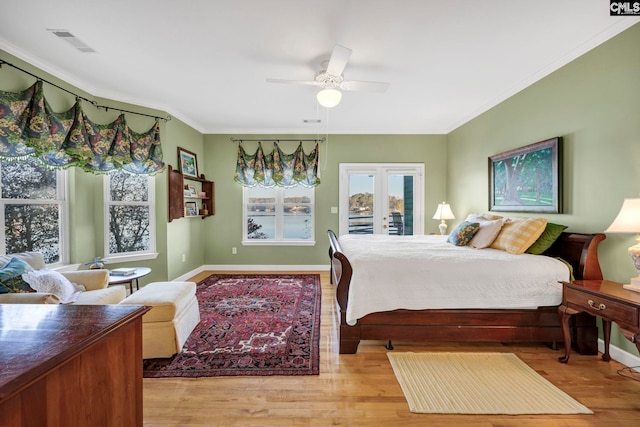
[(62, 200)]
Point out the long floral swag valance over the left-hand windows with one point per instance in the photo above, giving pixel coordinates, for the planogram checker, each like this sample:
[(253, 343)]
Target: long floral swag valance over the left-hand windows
[(28, 127)]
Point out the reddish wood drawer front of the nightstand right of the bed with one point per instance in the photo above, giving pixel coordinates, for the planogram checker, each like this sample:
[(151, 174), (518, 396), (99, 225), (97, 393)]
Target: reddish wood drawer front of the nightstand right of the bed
[(604, 307)]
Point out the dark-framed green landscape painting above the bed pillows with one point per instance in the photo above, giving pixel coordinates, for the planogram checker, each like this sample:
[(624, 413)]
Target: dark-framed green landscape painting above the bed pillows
[(527, 179)]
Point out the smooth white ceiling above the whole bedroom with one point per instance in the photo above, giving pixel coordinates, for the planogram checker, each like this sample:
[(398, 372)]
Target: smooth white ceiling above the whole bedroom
[(205, 61)]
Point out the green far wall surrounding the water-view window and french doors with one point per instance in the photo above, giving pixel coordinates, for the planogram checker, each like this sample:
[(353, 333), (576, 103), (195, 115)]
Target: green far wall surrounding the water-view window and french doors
[(224, 230)]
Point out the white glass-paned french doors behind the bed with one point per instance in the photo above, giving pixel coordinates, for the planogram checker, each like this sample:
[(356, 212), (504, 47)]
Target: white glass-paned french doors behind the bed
[(381, 198)]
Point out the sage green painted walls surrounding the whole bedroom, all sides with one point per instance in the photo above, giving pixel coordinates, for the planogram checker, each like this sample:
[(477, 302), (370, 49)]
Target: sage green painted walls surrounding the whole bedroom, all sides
[(593, 103)]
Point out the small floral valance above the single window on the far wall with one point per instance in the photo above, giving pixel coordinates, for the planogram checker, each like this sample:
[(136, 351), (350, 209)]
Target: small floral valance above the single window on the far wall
[(276, 168)]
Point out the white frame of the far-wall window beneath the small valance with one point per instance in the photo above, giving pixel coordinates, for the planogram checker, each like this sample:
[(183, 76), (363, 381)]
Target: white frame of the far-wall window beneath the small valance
[(279, 204)]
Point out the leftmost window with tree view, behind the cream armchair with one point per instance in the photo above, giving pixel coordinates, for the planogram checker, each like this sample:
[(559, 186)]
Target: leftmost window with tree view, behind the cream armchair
[(34, 209)]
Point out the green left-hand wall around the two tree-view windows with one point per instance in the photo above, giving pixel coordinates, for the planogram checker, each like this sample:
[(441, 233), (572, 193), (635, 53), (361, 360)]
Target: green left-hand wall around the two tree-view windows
[(86, 190)]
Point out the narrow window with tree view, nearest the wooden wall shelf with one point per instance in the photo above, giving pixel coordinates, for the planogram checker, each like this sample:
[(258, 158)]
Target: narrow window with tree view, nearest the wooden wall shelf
[(129, 216)]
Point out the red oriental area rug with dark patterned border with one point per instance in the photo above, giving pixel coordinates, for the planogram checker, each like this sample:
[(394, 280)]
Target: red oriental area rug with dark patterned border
[(251, 324)]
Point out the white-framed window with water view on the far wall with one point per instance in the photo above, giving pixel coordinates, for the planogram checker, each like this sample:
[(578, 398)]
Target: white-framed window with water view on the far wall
[(278, 215)]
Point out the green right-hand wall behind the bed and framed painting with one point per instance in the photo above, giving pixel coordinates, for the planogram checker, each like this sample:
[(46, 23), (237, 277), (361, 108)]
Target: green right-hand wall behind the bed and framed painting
[(594, 104)]
